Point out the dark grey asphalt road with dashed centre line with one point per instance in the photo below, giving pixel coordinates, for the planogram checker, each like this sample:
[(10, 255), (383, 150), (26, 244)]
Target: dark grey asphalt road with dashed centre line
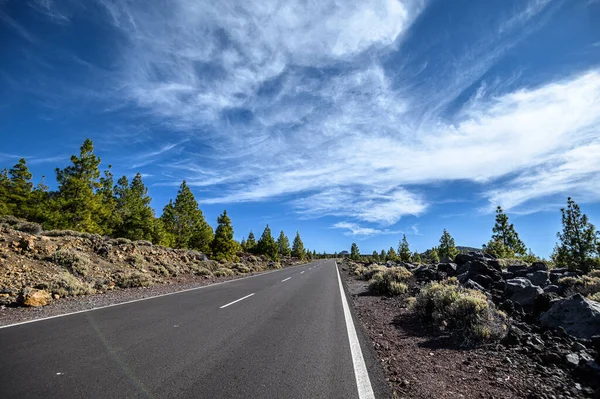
[(287, 338)]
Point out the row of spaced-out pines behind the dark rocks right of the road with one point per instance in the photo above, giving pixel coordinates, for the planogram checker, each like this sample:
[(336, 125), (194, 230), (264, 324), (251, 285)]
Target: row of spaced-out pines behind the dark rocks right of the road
[(578, 246)]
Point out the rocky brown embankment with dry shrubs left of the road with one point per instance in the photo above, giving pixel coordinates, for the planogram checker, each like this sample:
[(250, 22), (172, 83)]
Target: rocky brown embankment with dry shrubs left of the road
[(38, 266)]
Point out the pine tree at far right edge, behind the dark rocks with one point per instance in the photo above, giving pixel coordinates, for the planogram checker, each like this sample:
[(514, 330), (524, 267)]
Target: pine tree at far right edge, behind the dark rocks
[(578, 243)]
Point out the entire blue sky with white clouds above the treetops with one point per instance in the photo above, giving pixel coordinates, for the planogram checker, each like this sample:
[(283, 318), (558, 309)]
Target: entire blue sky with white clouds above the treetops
[(345, 120)]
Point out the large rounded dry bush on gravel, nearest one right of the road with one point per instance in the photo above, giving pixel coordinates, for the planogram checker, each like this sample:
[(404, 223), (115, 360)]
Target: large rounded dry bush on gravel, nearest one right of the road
[(460, 309)]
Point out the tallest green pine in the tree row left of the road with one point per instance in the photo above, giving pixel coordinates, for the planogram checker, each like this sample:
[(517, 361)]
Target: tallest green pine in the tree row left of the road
[(78, 206)]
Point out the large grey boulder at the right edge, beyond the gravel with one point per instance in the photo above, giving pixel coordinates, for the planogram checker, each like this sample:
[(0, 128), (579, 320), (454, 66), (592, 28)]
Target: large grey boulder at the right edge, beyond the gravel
[(577, 315)]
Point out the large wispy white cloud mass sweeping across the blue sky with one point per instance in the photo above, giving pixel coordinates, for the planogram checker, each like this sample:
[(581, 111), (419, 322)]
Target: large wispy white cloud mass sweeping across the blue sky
[(294, 101)]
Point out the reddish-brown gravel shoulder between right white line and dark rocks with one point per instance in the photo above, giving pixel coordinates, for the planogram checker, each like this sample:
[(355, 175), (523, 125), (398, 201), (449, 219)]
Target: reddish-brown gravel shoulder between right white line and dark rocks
[(421, 362)]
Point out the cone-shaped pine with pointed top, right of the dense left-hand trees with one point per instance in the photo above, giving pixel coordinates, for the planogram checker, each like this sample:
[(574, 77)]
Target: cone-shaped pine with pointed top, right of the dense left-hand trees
[(185, 222)]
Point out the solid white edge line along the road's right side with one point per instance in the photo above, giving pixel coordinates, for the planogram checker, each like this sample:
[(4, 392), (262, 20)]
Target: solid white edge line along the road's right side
[(363, 383)]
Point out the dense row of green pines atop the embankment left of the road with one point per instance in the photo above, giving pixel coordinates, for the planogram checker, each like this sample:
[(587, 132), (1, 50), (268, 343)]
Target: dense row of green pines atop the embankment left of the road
[(90, 201)]
